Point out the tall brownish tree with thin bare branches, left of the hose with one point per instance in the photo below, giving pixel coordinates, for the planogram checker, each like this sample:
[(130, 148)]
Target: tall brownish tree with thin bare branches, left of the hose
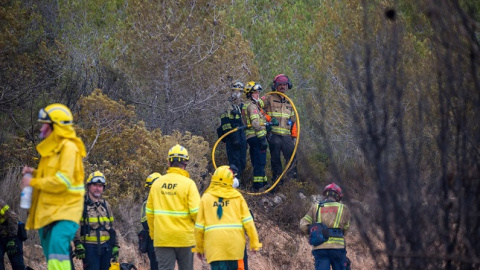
[(181, 57)]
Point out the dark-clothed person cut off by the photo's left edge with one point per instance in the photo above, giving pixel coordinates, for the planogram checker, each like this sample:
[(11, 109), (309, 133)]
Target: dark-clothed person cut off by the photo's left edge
[(9, 240)]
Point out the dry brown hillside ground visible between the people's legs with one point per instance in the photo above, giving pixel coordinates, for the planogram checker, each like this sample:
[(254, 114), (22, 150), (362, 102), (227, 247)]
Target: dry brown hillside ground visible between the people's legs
[(281, 250)]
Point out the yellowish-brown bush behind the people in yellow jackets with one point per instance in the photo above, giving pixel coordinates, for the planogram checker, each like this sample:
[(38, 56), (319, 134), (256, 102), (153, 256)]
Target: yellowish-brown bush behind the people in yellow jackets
[(121, 146)]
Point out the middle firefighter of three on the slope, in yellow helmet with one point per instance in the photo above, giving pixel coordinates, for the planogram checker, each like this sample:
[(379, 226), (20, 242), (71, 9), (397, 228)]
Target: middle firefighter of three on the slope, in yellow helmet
[(256, 134)]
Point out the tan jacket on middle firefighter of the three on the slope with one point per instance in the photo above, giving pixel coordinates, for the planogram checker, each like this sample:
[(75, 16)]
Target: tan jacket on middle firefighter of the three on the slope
[(252, 115)]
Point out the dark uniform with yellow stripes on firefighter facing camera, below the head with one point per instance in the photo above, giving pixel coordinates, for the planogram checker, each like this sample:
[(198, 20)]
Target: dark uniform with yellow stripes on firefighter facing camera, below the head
[(97, 235)]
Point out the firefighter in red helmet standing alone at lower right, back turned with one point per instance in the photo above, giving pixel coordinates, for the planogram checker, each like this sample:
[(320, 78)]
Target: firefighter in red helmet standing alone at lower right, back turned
[(336, 216)]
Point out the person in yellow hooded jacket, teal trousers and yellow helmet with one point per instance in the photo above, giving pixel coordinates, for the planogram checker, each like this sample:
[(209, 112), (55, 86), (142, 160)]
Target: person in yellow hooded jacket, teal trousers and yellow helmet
[(58, 188)]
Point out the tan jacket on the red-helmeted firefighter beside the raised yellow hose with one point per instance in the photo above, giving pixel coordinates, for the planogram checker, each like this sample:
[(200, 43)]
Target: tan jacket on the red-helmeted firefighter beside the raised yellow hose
[(279, 107)]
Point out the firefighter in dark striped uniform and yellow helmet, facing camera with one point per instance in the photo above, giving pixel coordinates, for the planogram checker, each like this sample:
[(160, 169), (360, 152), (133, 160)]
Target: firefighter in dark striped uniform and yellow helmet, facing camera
[(96, 242)]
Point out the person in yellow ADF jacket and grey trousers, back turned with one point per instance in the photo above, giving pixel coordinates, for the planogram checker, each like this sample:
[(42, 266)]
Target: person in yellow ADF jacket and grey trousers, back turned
[(172, 208)]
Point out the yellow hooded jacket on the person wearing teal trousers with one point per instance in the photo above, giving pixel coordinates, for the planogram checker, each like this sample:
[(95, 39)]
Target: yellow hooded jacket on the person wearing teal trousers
[(58, 187)]
